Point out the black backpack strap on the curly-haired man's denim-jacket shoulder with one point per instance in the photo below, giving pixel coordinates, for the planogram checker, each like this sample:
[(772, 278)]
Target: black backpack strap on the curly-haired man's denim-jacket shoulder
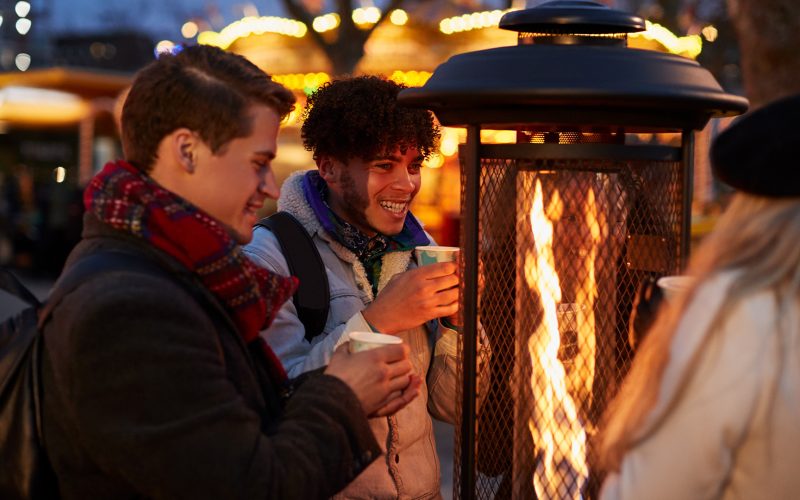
[(312, 298)]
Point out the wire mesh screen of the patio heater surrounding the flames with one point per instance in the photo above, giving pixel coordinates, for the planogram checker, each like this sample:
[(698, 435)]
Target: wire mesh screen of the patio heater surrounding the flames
[(563, 247)]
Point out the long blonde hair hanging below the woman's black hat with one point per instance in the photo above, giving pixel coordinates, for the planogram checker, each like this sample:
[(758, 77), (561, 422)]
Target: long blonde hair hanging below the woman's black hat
[(758, 236)]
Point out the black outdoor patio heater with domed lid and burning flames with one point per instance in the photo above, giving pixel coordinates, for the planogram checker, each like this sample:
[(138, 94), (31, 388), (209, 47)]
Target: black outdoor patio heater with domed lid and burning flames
[(559, 229)]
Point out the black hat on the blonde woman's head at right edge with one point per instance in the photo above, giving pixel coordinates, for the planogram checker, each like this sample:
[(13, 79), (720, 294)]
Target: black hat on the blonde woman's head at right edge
[(760, 152)]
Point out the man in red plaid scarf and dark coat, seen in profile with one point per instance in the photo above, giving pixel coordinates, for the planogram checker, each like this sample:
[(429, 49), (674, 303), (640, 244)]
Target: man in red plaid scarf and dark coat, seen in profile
[(155, 383)]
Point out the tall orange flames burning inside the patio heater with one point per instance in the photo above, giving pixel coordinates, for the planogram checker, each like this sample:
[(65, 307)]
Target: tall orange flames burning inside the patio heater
[(555, 424)]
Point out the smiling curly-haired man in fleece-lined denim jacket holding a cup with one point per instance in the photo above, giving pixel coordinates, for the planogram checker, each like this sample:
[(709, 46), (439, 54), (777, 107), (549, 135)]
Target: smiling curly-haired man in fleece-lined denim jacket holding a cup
[(355, 205)]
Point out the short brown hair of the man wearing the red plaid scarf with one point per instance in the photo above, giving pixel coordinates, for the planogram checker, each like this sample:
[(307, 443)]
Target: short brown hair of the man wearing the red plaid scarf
[(202, 88)]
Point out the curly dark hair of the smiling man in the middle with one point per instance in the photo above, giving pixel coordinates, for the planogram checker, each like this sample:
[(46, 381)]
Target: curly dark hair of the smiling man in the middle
[(358, 117)]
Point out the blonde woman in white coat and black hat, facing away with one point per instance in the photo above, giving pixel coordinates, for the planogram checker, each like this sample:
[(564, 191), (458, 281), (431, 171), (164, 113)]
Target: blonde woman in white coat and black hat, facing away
[(711, 405)]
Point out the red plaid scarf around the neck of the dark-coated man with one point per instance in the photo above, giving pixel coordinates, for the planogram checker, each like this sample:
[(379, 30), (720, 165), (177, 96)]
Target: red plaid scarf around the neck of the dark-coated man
[(128, 200)]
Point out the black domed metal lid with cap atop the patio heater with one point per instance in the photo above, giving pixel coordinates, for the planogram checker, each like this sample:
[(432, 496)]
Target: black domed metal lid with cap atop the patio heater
[(575, 79)]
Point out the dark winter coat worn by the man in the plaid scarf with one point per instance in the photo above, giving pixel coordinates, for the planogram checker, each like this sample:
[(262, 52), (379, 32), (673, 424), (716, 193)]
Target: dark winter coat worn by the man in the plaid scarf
[(149, 392)]
